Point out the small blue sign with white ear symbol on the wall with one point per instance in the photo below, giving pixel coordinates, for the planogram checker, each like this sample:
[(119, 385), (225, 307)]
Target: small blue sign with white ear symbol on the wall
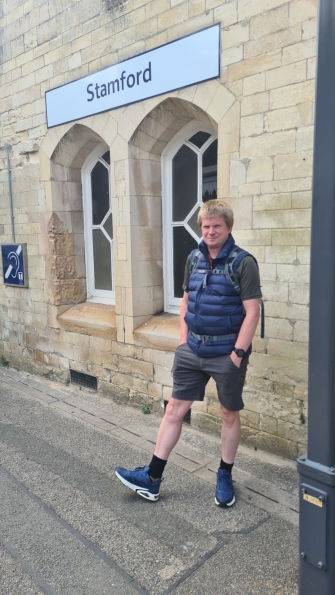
[(14, 264)]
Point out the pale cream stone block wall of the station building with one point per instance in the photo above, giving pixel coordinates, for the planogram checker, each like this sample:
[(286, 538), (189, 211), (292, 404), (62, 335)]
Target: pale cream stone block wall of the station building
[(262, 110)]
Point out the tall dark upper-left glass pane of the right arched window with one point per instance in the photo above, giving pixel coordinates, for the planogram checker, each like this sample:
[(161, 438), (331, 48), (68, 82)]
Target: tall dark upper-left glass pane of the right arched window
[(184, 182)]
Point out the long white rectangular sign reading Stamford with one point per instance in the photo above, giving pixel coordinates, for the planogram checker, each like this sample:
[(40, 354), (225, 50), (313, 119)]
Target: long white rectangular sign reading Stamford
[(178, 64)]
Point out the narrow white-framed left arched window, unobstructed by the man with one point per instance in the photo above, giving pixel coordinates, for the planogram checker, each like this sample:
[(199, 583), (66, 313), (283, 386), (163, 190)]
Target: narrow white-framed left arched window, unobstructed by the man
[(98, 225)]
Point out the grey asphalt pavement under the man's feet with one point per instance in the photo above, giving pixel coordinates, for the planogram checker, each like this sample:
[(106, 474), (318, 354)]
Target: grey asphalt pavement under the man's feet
[(69, 527)]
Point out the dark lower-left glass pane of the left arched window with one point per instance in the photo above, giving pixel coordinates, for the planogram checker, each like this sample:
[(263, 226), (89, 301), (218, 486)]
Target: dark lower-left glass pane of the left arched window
[(102, 261)]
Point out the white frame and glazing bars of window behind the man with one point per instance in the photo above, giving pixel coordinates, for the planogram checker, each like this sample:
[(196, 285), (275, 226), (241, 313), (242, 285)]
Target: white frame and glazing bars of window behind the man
[(171, 303)]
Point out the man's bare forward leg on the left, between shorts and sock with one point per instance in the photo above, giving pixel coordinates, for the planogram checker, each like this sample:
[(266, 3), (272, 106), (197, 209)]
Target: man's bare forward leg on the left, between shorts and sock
[(170, 428)]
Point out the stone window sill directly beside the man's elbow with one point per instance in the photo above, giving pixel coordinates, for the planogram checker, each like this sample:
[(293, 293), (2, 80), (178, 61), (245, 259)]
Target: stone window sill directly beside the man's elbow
[(159, 332)]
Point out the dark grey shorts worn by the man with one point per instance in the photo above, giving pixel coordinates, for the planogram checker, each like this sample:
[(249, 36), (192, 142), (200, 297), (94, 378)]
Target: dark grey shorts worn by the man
[(191, 374)]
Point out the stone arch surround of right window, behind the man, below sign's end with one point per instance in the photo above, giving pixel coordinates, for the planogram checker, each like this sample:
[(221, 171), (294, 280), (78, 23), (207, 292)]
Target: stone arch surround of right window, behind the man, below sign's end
[(144, 263)]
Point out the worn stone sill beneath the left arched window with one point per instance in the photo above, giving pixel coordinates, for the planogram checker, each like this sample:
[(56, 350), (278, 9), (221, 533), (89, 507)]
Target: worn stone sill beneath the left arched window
[(90, 319)]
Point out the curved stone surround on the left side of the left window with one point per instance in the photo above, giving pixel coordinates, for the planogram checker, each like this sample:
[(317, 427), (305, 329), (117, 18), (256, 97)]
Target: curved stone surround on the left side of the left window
[(63, 225)]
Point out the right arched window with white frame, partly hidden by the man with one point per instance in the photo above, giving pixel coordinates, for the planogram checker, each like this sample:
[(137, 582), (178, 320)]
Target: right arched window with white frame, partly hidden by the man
[(189, 173)]
